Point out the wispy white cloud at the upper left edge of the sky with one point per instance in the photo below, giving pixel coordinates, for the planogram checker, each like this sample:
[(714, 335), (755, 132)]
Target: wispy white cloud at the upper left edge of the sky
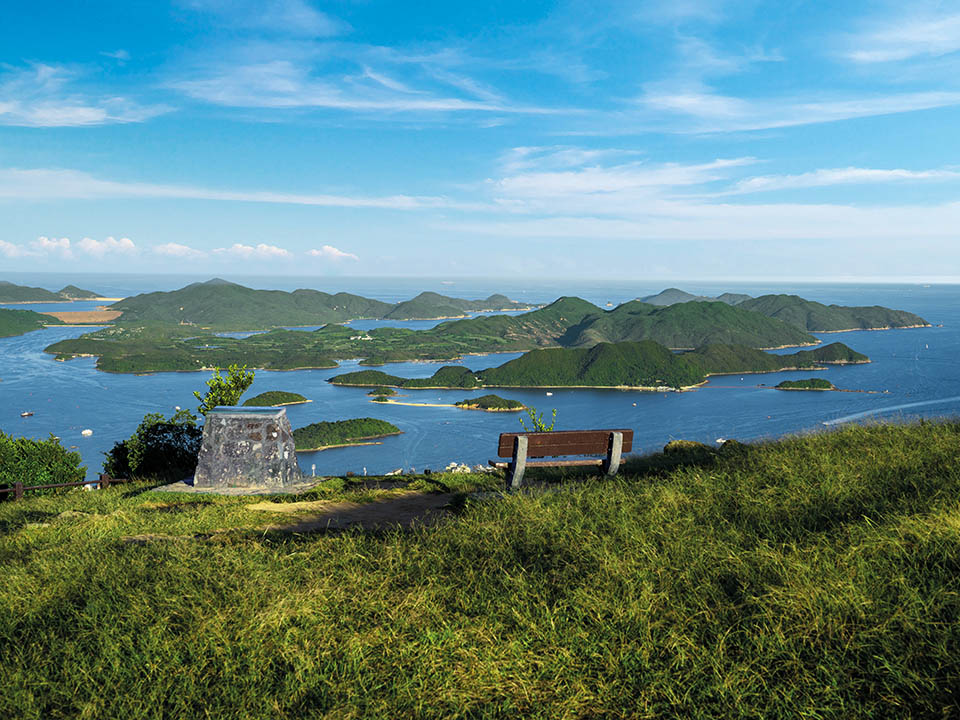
[(41, 95)]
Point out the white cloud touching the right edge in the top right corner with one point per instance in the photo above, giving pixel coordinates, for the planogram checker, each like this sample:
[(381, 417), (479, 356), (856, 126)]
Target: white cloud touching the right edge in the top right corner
[(906, 38)]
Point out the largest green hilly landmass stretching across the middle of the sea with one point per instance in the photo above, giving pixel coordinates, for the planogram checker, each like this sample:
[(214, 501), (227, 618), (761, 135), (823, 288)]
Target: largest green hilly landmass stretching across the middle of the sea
[(140, 343)]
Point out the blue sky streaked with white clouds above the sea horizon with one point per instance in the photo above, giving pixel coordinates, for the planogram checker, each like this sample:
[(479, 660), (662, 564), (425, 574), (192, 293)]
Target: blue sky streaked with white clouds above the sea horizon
[(686, 139)]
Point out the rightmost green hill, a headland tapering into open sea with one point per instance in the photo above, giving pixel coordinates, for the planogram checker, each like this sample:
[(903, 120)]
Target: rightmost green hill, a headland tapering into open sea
[(817, 317)]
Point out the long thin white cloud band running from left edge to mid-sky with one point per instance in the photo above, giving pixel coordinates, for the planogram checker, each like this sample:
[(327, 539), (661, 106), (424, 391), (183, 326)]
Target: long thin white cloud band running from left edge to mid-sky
[(52, 184)]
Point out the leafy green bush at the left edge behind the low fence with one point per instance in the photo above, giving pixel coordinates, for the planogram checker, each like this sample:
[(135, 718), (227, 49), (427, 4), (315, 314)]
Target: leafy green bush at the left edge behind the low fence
[(37, 462)]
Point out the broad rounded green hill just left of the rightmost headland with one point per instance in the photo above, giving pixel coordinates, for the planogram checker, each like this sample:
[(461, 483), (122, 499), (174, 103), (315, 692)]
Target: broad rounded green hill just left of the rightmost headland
[(684, 325)]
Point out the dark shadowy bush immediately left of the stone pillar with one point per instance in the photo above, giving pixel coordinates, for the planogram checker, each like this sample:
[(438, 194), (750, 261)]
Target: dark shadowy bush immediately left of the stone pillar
[(160, 449)]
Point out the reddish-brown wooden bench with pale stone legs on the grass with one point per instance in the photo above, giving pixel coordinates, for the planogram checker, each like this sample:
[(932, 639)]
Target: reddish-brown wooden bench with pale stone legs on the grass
[(520, 447)]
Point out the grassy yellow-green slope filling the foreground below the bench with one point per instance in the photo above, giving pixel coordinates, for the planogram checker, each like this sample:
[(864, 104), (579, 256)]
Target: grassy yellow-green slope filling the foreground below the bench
[(817, 576)]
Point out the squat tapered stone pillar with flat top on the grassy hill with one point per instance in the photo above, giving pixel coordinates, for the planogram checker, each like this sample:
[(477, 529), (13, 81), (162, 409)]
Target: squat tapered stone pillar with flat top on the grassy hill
[(246, 447)]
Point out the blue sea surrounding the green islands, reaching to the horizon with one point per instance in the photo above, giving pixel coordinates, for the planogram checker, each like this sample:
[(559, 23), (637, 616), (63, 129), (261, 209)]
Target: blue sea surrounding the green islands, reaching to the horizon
[(914, 372)]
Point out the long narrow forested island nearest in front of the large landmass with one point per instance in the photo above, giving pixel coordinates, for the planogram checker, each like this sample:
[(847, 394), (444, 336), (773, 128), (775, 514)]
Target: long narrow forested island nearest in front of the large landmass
[(644, 365)]
